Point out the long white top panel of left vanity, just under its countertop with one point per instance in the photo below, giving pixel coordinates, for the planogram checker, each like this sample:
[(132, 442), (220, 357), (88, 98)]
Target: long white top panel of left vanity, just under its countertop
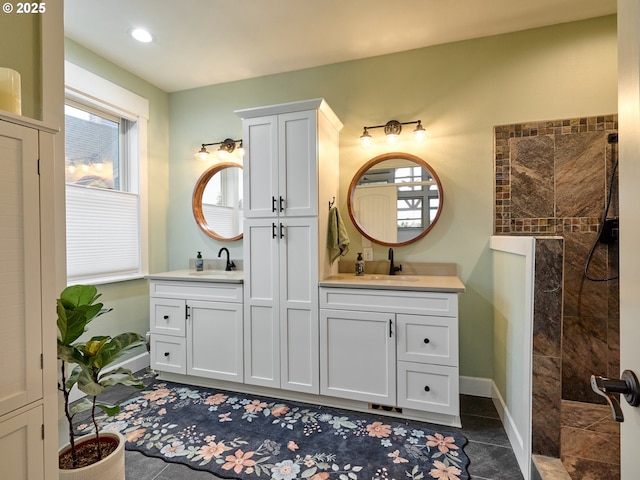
[(224, 292)]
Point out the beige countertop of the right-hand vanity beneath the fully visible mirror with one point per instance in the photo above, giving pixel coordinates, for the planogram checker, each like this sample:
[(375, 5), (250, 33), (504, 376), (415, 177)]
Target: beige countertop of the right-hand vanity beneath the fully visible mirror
[(425, 283)]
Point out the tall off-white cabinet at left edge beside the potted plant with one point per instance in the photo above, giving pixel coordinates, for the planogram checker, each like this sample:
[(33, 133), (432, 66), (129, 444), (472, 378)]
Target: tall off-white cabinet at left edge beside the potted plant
[(27, 338)]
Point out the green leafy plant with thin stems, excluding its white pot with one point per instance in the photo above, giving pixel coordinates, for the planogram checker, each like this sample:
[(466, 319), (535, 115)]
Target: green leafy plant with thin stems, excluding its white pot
[(77, 307)]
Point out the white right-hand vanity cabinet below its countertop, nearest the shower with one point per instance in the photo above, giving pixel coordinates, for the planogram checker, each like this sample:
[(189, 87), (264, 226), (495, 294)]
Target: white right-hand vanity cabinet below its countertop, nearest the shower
[(391, 347)]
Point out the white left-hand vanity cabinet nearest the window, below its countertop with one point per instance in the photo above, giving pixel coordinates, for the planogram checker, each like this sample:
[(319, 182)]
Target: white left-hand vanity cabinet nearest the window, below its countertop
[(196, 328)]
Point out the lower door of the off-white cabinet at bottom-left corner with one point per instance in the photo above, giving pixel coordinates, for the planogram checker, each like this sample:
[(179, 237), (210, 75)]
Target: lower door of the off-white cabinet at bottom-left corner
[(22, 445)]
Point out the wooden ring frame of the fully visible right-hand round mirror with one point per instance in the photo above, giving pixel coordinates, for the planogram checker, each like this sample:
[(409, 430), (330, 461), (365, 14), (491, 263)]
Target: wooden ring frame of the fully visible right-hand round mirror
[(375, 161)]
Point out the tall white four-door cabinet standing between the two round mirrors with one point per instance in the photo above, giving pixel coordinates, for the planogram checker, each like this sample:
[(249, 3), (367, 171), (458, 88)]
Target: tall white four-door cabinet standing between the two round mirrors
[(290, 176)]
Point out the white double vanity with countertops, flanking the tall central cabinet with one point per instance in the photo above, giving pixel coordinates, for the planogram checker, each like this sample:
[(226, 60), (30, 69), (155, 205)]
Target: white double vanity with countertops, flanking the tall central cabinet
[(385, 342)]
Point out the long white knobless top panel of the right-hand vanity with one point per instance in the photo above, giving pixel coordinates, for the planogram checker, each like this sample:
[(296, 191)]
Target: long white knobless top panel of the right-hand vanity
[(397, 301)]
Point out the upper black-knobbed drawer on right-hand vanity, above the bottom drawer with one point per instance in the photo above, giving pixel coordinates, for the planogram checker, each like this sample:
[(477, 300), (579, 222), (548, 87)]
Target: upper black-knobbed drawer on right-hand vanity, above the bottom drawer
[(427, 339)]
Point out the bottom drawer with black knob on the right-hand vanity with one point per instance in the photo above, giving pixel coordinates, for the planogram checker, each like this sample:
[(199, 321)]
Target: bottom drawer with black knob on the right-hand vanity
[(433, 388)]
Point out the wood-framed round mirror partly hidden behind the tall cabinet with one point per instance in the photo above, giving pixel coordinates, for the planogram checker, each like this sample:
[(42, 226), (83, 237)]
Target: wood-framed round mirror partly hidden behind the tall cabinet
[(217, 202)]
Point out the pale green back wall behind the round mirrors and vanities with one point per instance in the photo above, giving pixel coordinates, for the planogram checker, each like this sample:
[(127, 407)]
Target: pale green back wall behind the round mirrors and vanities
[(459, 91)]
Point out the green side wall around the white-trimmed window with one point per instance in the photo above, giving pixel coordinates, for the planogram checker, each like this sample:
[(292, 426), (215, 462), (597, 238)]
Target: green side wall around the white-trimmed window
[(130, 300)]
